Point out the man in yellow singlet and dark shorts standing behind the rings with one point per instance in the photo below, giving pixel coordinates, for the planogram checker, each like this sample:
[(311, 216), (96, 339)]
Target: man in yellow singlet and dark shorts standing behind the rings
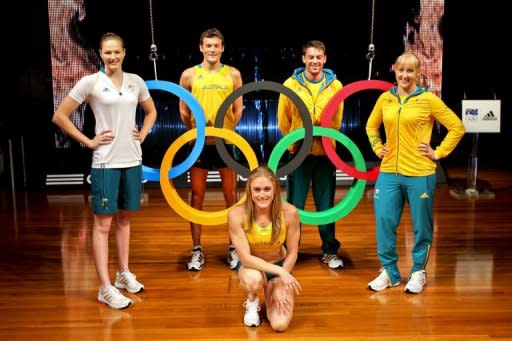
[(210, 83)]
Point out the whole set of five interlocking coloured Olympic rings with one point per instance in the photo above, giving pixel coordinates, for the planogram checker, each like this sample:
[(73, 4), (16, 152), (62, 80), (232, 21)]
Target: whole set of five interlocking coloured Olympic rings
[(344, 207)]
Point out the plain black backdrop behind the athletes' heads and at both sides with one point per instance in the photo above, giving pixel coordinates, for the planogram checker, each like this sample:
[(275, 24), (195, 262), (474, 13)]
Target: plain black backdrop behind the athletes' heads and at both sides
[(474, 61)]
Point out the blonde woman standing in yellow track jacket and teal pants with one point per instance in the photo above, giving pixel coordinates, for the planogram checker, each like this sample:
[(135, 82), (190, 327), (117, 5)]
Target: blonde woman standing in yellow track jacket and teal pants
[(407, 171)]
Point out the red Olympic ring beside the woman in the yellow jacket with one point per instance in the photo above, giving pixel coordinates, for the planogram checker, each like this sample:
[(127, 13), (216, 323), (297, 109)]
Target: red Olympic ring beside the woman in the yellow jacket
[(326, 118)]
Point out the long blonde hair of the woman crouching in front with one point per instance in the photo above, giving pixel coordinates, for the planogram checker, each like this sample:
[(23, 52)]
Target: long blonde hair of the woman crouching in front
[(258, 172)]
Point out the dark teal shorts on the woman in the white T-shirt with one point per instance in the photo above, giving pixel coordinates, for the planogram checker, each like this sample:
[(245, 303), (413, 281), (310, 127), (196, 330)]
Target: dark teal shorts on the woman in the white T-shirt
[(116, 188)]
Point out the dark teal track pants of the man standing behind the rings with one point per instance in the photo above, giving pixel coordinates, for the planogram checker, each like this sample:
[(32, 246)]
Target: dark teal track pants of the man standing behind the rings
[(321, 174)]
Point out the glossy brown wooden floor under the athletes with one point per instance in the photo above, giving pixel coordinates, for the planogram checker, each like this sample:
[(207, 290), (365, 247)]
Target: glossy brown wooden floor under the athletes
[(48, 284)]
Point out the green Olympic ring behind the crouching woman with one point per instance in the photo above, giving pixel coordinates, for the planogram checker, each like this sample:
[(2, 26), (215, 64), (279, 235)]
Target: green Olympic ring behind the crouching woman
[(354, 194)]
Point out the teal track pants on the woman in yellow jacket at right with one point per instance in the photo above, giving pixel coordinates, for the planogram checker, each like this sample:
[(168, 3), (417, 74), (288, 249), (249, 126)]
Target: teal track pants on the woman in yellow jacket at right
[(391, 192)]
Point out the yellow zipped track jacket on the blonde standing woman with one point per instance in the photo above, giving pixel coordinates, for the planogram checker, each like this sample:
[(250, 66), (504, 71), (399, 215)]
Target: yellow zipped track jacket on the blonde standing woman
[(406, 125)]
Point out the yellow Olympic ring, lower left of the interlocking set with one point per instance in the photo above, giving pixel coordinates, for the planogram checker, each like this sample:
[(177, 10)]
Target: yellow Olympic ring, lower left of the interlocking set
[(172, 196)]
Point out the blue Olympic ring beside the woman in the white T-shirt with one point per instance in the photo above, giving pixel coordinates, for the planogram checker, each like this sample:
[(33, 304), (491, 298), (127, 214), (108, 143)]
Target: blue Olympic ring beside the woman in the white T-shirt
[(153, 174)]
